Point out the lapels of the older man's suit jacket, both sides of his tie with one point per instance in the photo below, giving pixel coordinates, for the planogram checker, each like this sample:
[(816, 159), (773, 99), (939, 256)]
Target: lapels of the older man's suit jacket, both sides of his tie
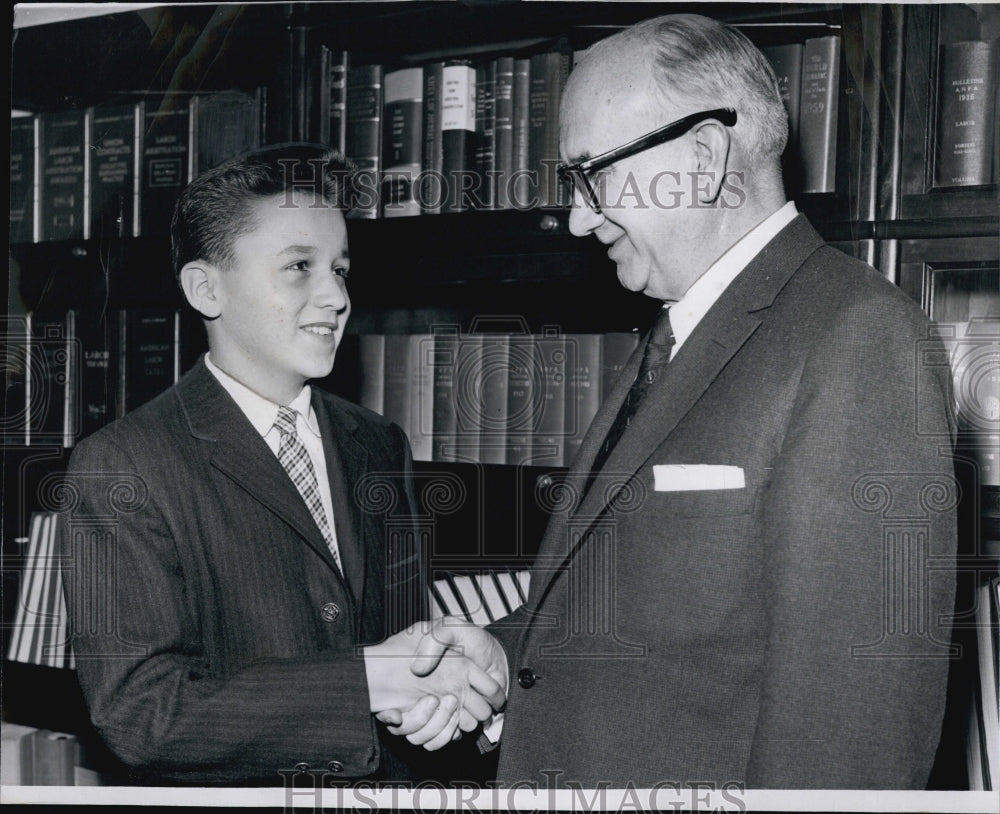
[(729, 323)]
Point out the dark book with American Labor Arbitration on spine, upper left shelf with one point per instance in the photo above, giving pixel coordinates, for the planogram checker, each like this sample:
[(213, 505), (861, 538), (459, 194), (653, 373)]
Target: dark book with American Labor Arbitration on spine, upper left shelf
[(62, 179)]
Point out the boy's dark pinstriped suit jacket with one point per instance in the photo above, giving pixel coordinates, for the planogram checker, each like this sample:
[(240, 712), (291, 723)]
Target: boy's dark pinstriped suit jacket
[(216, 641)]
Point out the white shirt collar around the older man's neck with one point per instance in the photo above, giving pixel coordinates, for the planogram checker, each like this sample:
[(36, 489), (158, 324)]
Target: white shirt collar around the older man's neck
[(688, 311)]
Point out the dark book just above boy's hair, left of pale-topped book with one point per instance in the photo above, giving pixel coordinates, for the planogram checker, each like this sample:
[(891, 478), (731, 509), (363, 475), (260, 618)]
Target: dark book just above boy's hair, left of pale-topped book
[(364, 135)]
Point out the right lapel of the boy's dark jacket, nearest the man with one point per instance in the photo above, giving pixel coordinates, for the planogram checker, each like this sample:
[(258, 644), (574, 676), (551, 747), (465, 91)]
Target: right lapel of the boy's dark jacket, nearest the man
[(346, 462)]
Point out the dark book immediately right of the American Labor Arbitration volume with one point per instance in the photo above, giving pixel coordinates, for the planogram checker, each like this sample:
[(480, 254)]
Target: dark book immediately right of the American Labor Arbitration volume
[(113, 200)]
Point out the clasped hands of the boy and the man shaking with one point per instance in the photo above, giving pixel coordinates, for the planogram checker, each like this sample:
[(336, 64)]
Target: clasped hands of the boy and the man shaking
[(435, 680)]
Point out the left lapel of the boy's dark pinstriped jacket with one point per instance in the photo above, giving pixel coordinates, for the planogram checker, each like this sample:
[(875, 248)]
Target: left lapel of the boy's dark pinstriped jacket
[(239, 453)]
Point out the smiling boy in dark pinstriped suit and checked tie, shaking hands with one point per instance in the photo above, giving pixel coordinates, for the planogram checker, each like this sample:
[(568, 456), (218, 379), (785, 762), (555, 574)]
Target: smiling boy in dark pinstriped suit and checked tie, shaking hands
[(230, 554)]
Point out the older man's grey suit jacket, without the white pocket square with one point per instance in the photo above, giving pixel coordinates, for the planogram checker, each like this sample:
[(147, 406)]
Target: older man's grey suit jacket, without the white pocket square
[(742, 634)]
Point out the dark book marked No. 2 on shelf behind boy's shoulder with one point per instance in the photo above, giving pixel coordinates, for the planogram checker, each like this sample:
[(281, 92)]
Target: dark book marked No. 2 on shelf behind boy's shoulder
[(97, 398)]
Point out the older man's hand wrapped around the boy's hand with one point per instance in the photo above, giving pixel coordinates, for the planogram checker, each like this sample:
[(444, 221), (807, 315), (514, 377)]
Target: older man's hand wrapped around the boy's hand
[(430, 723)]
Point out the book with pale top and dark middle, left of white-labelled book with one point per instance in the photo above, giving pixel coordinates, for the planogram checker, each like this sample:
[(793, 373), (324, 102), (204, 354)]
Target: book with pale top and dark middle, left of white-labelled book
[(402, 141)]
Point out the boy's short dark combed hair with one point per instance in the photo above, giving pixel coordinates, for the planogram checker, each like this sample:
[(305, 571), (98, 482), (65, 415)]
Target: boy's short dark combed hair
[(214, 209)]
